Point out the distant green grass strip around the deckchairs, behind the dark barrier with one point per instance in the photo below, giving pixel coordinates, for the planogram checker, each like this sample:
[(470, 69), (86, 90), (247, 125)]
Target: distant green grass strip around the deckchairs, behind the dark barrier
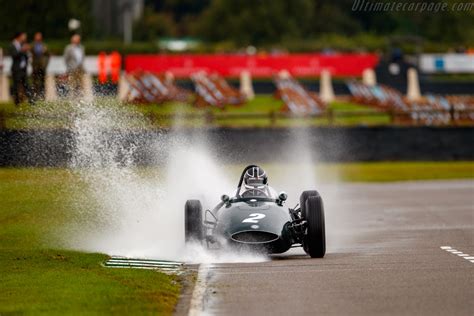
[(56, 115)]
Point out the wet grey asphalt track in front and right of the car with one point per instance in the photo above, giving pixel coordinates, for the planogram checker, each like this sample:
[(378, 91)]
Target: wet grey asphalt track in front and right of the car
[(383, 258)]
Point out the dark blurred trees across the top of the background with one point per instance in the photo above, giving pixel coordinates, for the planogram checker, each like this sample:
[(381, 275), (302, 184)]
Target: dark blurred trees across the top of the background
[(227, 25)]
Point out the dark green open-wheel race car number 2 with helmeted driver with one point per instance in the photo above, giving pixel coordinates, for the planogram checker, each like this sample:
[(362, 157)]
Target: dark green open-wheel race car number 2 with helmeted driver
[(256, 218)]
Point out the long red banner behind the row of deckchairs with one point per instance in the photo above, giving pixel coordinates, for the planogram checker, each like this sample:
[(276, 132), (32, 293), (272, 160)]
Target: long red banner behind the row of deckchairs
[(231, 65)]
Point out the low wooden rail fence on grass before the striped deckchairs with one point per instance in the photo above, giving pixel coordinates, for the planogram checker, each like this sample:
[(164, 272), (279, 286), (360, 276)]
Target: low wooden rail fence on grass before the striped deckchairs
[(329, 117)]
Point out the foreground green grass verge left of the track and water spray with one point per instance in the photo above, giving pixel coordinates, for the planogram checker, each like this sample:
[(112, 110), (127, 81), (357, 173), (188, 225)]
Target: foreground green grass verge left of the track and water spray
[(38, 277)]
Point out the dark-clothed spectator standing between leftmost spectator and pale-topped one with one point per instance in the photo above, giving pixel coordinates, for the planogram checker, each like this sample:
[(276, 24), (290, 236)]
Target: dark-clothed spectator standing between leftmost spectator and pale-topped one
[(40, 63)]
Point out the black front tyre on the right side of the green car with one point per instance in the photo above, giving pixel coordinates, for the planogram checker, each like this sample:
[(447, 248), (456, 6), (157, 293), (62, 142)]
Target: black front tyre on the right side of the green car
[(314, 242)]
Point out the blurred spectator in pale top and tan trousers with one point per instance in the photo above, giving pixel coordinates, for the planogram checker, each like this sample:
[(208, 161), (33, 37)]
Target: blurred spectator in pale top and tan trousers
[(74, 58)]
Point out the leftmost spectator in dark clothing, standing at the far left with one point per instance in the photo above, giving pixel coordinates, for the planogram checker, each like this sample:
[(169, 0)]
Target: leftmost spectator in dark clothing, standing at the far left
[(19, 53)]
